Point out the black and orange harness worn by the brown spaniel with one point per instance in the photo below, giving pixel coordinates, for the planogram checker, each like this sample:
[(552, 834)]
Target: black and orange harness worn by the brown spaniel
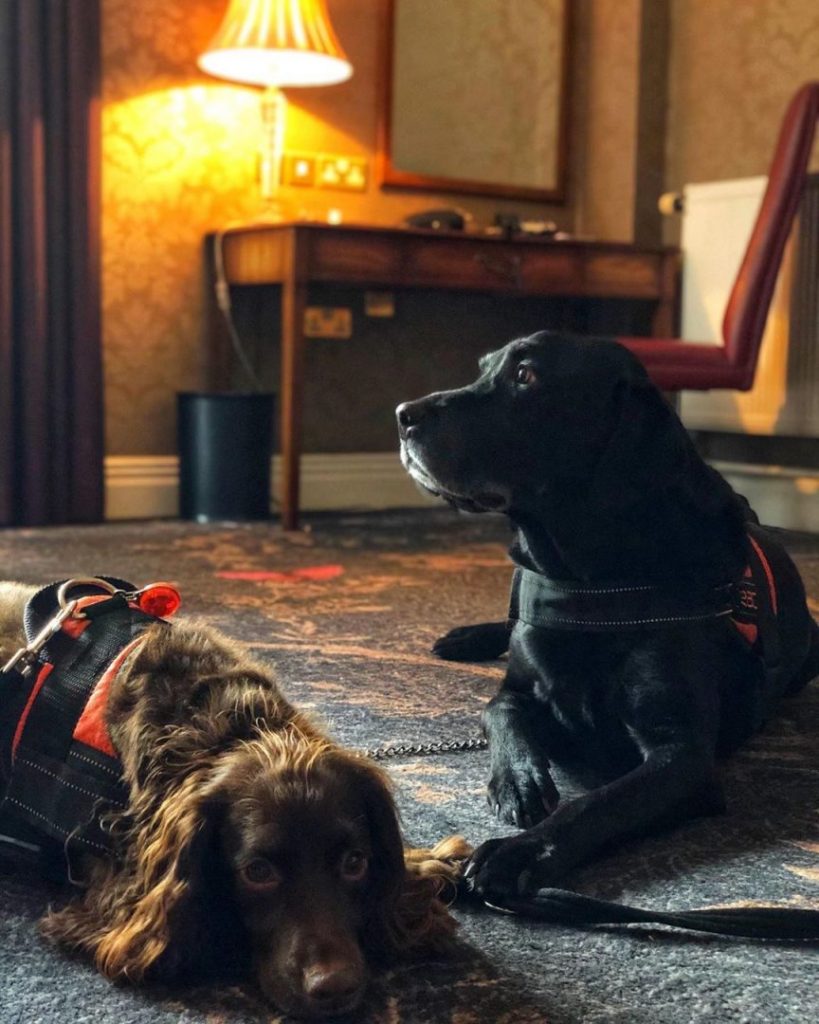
[(60, 773)]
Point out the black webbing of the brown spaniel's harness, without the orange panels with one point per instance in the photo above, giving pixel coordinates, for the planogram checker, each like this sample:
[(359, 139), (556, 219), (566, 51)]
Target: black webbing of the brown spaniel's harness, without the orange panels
[(56, 789)]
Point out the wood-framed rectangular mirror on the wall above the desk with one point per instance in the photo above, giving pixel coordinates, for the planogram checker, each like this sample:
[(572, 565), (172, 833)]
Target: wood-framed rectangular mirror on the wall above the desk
[(477, 98)]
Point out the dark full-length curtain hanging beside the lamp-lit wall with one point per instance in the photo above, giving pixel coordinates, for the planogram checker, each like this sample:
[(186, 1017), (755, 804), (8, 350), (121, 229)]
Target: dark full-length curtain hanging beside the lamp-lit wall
[(51, 359)]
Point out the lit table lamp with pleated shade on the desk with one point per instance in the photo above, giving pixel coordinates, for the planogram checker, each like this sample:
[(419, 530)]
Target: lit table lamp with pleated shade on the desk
[(276, 45)]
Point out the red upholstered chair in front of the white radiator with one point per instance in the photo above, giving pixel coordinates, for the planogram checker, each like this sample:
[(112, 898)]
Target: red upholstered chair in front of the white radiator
[(676, 365)]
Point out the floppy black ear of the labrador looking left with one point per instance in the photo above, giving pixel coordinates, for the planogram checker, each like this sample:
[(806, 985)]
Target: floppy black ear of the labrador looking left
[(648, 449)]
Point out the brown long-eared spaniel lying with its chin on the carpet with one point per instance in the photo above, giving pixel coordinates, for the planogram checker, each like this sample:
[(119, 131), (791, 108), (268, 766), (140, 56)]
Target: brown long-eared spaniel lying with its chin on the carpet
[(250, 840)]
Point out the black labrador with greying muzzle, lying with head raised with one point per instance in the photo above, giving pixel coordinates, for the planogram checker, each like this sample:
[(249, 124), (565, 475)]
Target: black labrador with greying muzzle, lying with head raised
[(654, 624)]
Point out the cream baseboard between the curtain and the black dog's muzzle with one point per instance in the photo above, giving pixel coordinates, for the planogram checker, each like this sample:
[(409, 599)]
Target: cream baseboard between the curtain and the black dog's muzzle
[(148, 487)]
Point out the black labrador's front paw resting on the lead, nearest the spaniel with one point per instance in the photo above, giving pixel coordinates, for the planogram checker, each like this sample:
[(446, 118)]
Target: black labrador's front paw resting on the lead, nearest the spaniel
[(513, 867)]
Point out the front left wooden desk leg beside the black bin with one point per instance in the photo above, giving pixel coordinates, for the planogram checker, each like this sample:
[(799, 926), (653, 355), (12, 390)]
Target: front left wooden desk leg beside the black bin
[(294, 300)]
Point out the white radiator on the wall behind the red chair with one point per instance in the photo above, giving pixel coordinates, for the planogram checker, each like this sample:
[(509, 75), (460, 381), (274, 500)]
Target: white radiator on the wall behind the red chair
[(717, 225)]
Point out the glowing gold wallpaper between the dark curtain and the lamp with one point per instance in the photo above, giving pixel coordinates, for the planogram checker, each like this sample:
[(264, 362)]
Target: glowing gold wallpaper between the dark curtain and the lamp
[(179, 160)]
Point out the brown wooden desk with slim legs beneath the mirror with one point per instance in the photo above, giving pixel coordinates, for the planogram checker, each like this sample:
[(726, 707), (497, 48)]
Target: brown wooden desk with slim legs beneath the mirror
[(295, 254)]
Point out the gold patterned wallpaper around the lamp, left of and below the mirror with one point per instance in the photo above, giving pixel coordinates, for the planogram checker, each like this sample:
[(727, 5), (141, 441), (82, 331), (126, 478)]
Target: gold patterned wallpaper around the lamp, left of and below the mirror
[(180, 160)]
